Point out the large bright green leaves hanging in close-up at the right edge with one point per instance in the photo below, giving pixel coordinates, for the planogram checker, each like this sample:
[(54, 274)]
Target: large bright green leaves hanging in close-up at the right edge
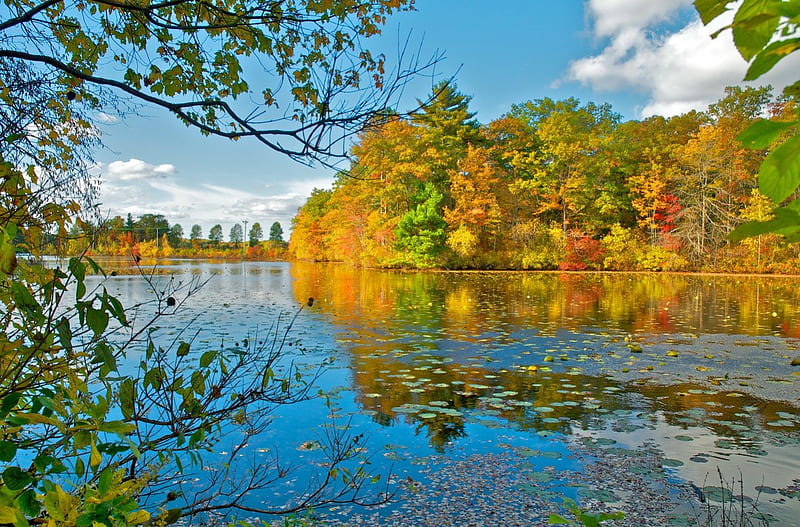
[(764, 32)]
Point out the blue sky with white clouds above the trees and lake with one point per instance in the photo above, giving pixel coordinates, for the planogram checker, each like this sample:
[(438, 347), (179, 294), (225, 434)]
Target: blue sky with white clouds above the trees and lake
[(644, 57)]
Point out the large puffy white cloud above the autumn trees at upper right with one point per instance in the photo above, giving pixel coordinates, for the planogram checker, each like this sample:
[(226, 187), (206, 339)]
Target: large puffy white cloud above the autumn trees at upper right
[(678, 70)]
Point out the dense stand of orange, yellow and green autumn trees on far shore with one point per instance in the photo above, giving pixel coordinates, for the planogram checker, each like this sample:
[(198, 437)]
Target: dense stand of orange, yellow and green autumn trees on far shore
[(552, 184)]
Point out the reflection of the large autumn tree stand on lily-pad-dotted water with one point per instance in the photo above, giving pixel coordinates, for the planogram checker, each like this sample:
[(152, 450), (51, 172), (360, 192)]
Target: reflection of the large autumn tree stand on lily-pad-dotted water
[(699, 365)]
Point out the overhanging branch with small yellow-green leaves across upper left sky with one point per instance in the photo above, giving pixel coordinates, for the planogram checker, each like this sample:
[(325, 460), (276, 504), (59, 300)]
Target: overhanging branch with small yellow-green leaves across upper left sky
[(294, 74)]
